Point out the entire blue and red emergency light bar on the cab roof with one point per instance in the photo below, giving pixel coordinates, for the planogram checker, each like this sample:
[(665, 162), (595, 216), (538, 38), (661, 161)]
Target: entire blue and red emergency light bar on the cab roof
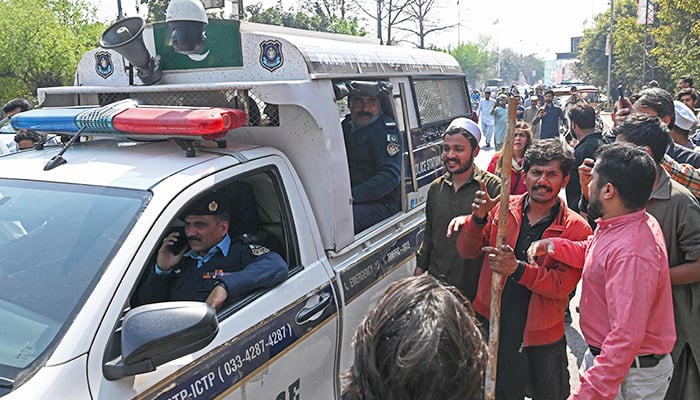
[(129, 118)]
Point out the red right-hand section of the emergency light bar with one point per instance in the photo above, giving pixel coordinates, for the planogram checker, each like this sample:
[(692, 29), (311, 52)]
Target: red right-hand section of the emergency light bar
[(211, 123)]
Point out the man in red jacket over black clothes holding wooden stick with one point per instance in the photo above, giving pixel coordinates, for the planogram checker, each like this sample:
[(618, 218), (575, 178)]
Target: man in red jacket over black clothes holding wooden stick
[(531, 343)]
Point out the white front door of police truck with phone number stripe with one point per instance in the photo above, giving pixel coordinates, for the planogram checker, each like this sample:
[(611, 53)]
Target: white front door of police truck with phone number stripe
[(278, 343)]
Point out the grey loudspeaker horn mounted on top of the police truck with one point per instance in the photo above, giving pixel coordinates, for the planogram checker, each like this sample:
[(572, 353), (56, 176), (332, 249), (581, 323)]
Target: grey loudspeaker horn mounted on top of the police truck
[(126, 38)]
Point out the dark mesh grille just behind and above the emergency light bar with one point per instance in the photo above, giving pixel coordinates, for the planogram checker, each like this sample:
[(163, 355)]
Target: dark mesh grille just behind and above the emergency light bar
[(259, 112)]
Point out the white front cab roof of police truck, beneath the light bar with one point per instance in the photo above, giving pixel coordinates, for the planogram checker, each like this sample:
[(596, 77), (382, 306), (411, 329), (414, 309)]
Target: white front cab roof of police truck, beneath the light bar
[(112, 163)]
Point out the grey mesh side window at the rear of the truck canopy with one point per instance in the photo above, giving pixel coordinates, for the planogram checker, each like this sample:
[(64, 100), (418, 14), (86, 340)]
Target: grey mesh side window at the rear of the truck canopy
[(440, 99)]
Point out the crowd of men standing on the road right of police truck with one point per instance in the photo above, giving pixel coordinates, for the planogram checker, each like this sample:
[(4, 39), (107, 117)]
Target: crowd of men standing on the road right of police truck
[(628, 228)]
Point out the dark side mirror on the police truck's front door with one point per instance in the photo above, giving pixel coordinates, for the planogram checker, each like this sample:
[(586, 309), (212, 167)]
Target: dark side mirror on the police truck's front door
[(155, 334)]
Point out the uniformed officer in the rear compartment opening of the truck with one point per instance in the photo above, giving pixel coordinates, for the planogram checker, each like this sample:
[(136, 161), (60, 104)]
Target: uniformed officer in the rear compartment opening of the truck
[(374, 150)]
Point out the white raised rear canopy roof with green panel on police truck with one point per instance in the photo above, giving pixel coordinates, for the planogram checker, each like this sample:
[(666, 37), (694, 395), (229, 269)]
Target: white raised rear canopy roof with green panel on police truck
[(306, 55)]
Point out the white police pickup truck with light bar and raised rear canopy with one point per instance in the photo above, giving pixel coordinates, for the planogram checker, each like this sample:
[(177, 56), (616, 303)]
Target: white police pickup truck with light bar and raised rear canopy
[(253, 113)]
